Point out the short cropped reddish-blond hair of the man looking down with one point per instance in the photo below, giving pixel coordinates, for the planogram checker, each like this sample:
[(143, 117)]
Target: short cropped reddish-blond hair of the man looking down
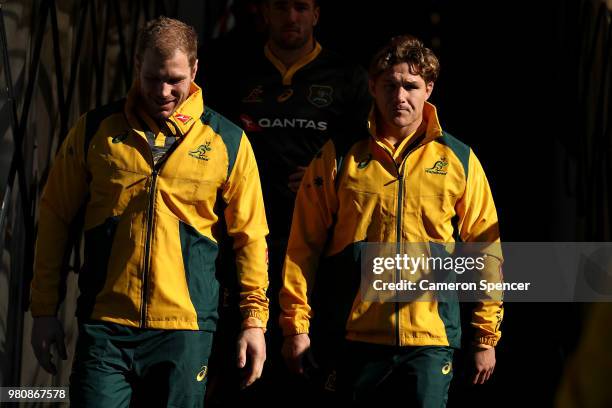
[(166, 35)]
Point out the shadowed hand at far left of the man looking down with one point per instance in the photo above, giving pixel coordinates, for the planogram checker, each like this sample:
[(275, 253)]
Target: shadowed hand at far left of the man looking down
[(46, 331)]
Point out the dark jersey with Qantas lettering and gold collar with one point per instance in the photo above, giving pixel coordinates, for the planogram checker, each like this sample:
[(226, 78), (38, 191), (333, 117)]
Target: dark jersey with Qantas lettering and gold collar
[(289, 114)]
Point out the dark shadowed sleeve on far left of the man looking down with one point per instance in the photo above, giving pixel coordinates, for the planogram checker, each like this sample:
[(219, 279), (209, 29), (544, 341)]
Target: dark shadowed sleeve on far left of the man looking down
[(63, 195)]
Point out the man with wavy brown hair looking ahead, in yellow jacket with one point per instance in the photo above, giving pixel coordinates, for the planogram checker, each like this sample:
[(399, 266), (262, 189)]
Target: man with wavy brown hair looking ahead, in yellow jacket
[(405, 181)]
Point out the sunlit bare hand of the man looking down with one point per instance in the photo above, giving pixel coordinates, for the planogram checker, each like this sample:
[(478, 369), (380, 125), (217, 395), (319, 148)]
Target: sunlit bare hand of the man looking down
[(251, 346)]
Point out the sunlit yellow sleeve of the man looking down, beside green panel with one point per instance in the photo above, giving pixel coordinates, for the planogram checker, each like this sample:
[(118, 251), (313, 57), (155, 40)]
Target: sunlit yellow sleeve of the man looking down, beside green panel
[(246, 224)]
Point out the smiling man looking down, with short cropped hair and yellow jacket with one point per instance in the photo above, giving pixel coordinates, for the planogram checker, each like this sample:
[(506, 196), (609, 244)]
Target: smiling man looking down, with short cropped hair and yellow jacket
[(154, 173)]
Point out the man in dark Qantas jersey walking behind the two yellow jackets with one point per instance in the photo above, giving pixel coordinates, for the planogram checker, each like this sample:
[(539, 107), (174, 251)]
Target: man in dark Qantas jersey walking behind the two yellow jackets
[(290, 99)]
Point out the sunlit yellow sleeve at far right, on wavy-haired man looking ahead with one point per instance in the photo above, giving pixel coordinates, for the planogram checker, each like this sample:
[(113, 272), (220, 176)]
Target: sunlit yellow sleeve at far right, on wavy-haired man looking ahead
[(478, 223)]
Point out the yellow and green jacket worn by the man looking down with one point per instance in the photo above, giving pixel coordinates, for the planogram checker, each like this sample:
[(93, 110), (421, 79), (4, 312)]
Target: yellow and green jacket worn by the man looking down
[(151, 227)]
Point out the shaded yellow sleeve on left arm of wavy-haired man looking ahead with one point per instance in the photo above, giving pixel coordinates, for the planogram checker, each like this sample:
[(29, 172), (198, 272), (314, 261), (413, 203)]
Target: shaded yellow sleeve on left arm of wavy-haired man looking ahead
[(315, 206)]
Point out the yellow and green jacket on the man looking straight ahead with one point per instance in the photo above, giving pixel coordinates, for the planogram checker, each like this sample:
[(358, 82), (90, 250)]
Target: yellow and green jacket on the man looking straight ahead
[(430, 188)]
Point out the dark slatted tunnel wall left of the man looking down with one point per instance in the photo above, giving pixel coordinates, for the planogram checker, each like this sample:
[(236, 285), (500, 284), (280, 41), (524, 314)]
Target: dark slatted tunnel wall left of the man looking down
[(50, 74)]
